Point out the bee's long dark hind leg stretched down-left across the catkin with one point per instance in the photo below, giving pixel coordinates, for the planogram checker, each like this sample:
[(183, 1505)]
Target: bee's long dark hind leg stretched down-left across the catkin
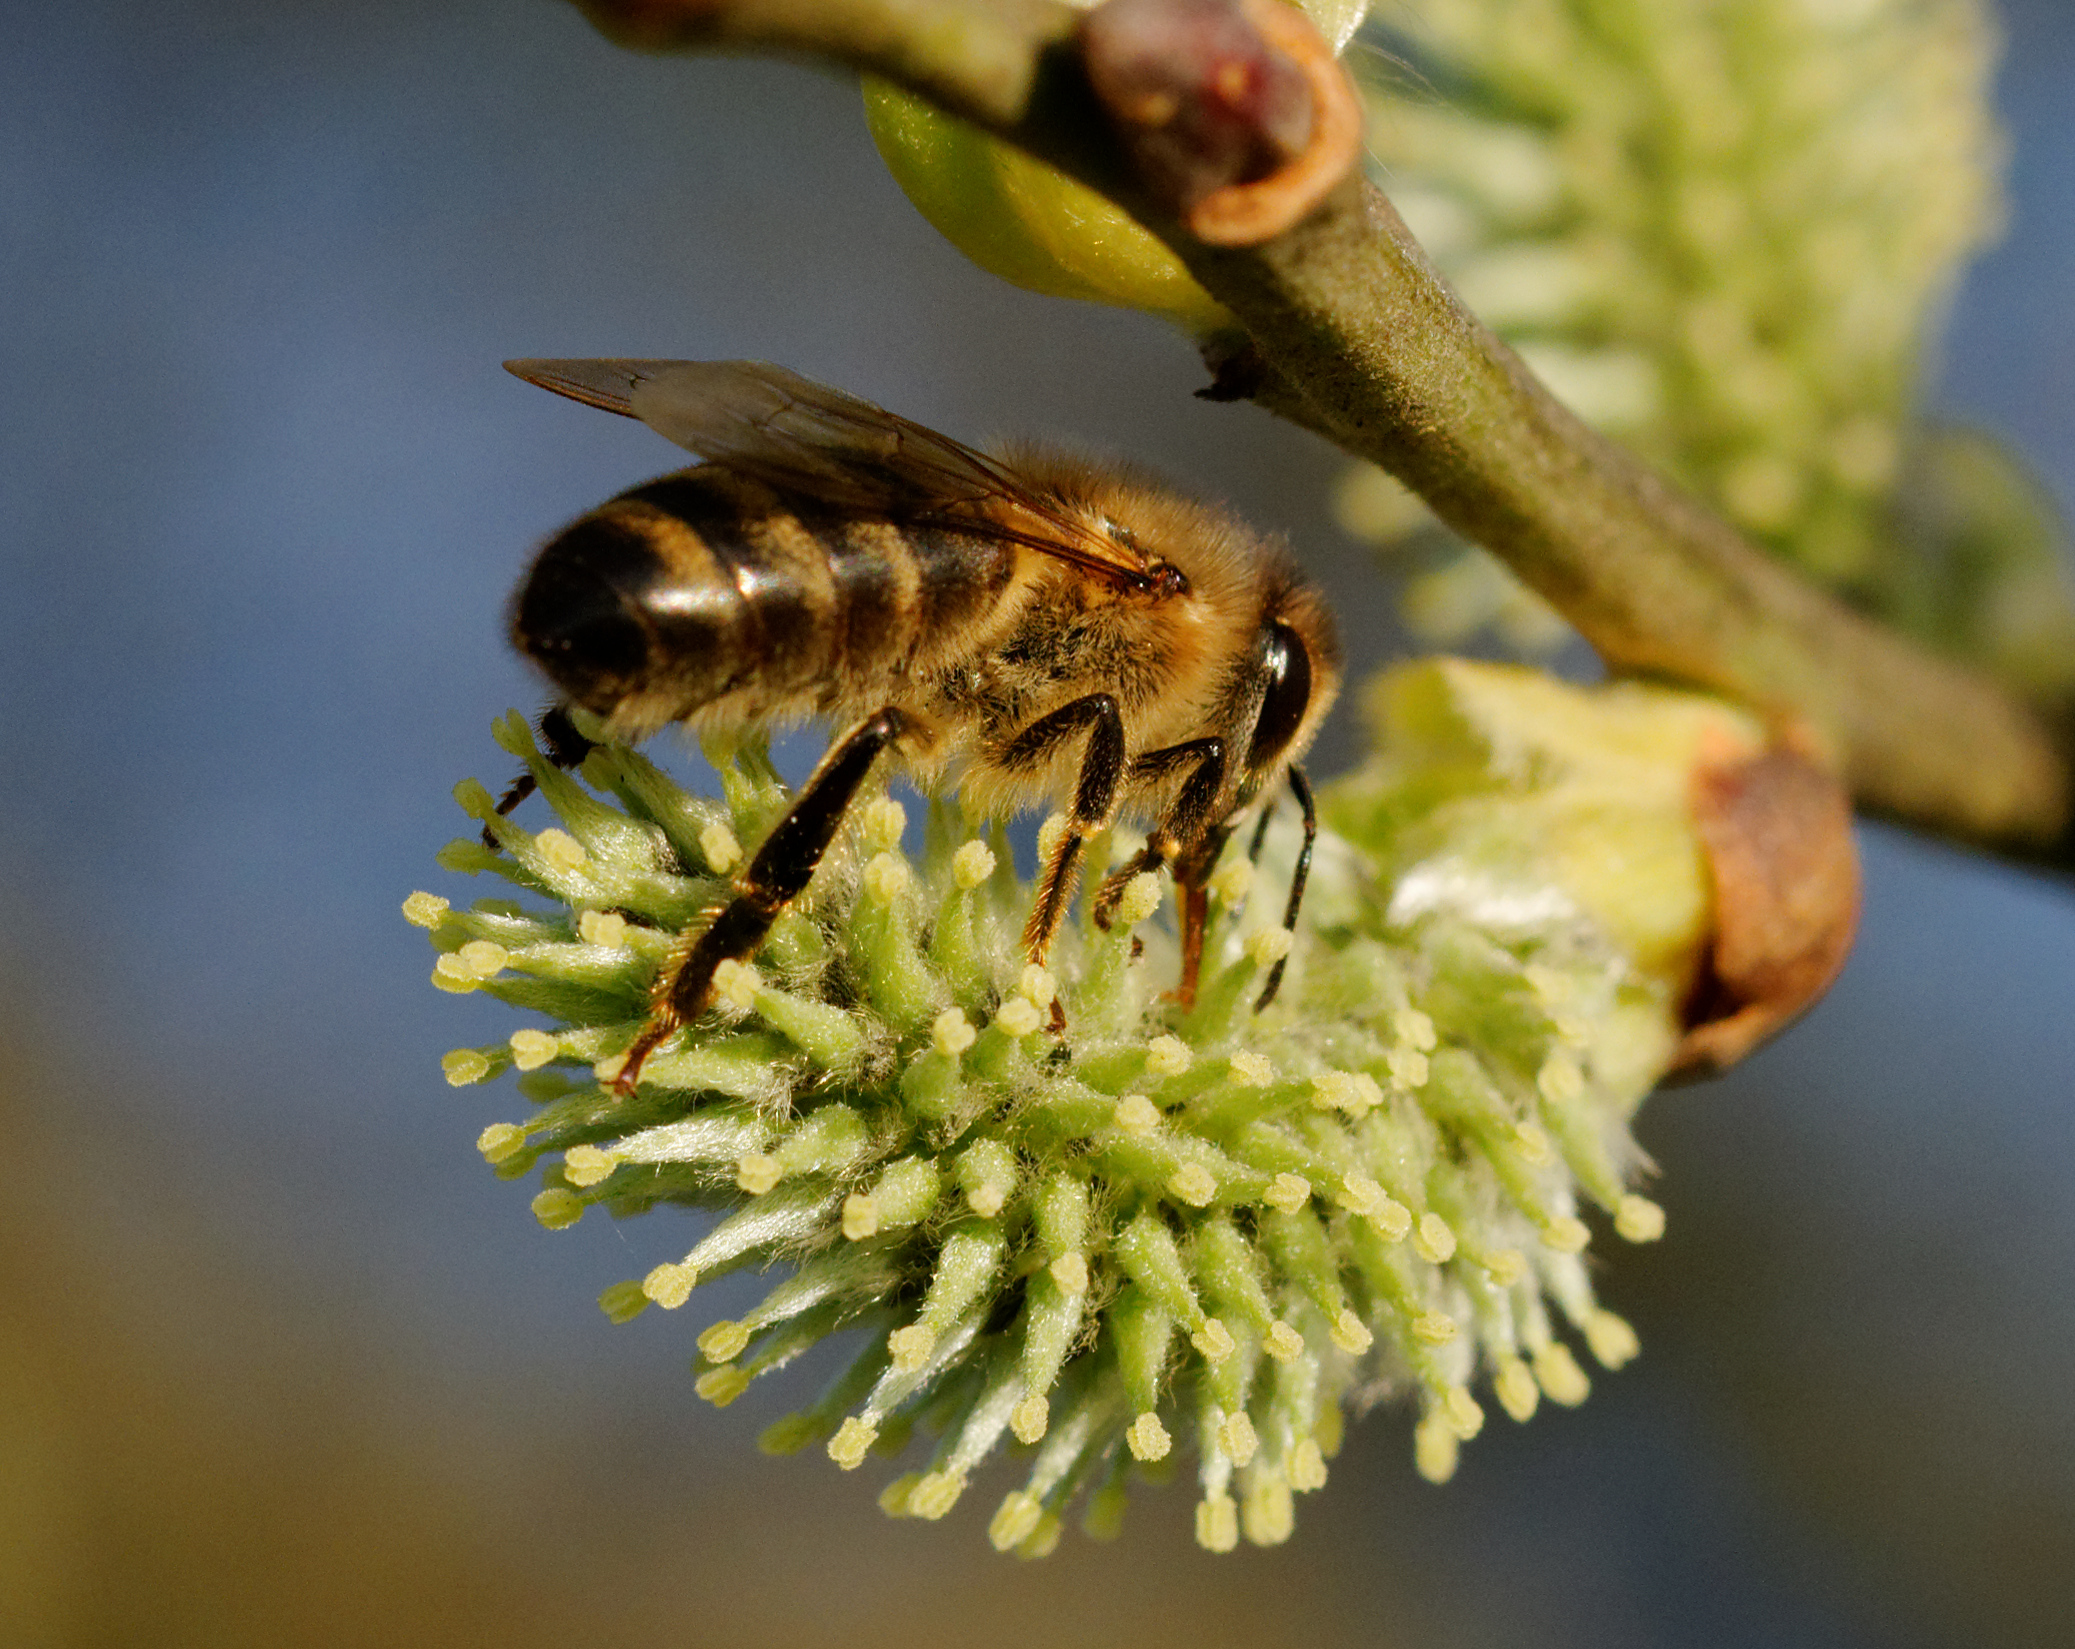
[(773, 881)]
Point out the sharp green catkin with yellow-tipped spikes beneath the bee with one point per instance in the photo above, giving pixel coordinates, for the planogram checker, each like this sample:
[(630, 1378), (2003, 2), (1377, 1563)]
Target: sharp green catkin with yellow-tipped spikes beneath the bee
[(1153, 1233)]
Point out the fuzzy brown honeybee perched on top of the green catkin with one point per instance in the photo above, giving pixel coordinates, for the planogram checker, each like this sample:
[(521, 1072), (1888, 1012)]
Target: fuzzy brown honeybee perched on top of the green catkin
[(1028, 627)]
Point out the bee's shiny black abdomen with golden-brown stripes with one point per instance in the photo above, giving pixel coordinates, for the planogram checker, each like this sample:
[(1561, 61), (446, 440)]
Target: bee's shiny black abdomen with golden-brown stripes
[(709, 586)]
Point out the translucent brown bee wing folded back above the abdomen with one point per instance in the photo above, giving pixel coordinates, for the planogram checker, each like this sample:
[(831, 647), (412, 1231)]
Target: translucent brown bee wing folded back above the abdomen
[(804, 437)]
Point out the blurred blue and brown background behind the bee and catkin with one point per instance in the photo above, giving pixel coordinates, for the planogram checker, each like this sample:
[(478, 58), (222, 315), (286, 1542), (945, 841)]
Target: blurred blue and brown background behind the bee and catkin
[(281, 1362)]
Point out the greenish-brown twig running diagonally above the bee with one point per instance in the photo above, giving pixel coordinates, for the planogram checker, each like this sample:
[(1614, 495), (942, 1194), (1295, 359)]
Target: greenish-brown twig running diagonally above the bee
[(1350, 333)]
